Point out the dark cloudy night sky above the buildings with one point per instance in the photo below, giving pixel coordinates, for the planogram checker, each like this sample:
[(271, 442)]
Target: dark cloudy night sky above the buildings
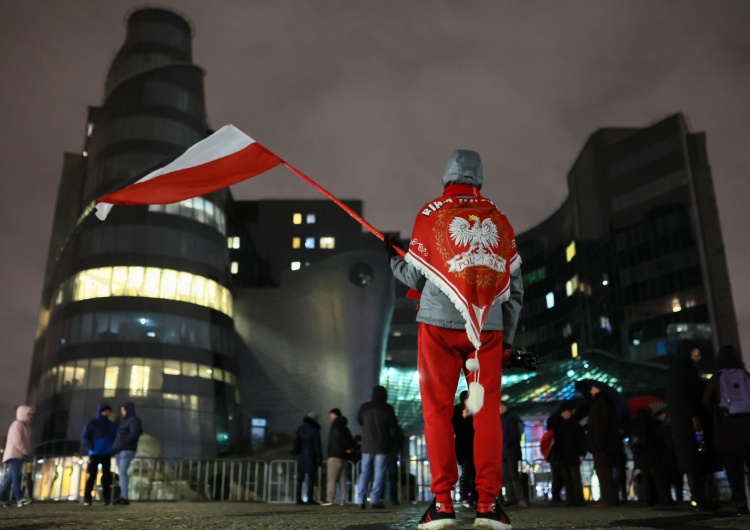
[(369, 98)]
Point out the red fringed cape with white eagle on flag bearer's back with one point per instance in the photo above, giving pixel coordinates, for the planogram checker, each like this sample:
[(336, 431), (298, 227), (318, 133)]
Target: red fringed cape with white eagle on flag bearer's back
[(467, 248)]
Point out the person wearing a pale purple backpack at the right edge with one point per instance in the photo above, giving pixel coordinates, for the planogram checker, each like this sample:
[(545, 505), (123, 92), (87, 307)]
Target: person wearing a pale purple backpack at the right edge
[(728, 395)]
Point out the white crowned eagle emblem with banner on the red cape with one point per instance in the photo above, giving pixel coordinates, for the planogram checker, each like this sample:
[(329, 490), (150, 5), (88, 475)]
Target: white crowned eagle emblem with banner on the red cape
[(481, 238)]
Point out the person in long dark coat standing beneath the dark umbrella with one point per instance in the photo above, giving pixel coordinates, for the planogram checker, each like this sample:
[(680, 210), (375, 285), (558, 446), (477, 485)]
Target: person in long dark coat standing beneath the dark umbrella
[(603, 441)]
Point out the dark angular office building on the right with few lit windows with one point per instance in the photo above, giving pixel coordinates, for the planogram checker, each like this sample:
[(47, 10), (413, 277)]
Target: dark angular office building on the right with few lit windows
[(633, 260)]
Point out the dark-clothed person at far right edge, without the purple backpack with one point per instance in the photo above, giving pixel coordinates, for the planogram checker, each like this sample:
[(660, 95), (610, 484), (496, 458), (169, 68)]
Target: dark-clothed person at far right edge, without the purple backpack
[(731, 434)]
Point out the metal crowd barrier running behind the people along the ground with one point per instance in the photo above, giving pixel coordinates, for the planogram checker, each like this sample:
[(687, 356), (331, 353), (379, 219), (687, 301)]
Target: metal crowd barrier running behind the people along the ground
[(63, 478)]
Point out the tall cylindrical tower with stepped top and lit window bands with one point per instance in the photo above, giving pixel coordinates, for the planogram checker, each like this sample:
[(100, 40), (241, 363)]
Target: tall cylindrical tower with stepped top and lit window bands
[(139, 308)]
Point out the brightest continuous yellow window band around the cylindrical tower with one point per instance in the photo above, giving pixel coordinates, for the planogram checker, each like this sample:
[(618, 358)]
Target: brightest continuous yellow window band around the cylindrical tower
[(148, 282)]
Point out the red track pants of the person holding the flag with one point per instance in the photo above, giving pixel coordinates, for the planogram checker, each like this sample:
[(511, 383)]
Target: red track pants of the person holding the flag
[(442, 354)]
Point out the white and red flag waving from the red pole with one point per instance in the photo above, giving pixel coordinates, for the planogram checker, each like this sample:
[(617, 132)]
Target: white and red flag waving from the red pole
[(226, 157)]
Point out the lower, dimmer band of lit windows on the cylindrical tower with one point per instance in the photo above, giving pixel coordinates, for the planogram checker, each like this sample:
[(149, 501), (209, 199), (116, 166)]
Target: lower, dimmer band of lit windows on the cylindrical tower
[(140, 377)]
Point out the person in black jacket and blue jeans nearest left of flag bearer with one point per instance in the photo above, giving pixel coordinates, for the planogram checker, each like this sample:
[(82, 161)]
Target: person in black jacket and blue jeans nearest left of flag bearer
[(379, 426)]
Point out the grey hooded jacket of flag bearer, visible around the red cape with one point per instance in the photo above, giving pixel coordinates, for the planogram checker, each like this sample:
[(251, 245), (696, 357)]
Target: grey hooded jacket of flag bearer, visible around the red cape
[(435, 308)]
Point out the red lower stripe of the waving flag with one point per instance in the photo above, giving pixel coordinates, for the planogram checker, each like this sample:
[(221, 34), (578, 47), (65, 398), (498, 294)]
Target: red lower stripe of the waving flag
[(198, 180)]
